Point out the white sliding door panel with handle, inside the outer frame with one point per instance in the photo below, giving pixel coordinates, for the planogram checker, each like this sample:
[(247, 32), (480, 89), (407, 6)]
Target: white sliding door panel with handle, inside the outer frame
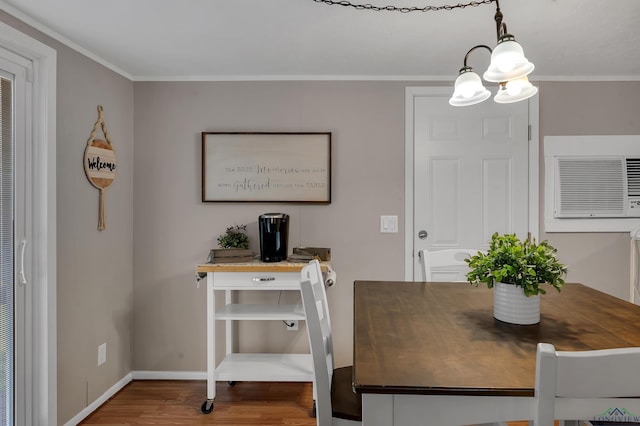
[(14, 294)]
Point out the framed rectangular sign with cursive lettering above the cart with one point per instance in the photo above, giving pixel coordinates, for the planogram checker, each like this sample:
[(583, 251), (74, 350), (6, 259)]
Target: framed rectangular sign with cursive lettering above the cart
[(266, 167)]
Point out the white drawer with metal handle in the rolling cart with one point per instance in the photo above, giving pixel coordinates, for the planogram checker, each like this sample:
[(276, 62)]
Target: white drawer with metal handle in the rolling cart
[(257, 280)]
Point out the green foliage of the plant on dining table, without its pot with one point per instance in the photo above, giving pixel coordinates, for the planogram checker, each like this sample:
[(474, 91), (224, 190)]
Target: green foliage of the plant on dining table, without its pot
[(522, 263)]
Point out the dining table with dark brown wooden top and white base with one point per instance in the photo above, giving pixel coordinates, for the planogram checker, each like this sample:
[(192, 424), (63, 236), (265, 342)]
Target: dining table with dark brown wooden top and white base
[(431, 353)]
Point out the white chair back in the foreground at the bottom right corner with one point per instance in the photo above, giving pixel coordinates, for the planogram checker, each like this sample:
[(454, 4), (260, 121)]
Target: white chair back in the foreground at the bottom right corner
[(601, 387)]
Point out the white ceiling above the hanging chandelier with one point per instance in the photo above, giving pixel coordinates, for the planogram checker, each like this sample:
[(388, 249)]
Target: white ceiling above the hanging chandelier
[(305, 39)]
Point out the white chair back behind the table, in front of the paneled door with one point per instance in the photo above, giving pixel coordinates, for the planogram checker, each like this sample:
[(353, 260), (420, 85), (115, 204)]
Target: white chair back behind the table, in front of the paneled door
[(445, 265)]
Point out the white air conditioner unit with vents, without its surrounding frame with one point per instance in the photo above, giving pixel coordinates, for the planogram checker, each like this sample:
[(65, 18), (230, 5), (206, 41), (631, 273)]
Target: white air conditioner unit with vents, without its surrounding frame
[(593, 186)]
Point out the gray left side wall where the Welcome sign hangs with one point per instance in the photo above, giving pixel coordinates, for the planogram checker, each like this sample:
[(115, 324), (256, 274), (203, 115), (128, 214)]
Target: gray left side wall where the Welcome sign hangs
[(95, 269)]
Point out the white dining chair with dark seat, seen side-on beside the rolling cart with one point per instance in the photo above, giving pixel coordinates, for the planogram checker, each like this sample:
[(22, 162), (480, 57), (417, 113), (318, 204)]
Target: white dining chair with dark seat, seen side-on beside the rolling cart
[(336, 403)]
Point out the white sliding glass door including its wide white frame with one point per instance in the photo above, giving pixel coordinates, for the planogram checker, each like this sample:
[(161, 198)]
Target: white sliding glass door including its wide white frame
[(28, 375)]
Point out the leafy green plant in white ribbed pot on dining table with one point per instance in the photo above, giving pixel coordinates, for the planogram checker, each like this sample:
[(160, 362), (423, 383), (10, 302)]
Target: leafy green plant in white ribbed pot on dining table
[(518, 270)]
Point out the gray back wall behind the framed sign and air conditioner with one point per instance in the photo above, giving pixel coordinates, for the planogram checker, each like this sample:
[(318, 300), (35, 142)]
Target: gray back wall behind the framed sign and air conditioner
[(174, 230)]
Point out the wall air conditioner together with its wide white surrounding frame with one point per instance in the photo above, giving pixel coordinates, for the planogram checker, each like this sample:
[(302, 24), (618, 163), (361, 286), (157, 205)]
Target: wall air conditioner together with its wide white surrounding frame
[(592, 183)]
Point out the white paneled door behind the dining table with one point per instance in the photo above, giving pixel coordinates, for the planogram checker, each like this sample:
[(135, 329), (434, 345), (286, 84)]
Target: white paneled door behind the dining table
[(471, 173)]
